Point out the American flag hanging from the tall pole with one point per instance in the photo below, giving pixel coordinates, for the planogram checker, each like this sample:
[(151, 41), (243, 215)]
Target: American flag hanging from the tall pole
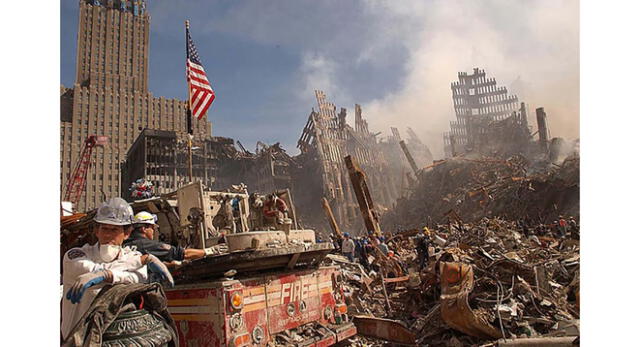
[(201, 94)]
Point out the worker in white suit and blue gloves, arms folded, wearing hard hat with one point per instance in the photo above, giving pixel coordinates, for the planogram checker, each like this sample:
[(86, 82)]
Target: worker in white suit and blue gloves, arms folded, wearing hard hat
[(87, 269)]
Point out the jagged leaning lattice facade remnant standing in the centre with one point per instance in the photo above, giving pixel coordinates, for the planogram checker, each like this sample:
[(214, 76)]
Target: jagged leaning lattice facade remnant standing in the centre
[(326, 139)]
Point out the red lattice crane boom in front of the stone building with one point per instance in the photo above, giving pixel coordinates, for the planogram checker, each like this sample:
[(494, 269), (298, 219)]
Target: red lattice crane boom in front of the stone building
[(78, 180)]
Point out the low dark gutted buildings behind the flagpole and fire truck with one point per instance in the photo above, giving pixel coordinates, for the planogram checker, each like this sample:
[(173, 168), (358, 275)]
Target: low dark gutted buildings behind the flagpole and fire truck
[(161, 157)]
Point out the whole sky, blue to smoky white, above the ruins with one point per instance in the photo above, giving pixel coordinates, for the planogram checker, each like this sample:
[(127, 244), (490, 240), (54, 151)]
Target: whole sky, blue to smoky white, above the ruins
[(395, 58)]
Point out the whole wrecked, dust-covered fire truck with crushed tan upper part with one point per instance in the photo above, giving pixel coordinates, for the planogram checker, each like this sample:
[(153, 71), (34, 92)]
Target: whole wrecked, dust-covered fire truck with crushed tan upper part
[(265, 287)]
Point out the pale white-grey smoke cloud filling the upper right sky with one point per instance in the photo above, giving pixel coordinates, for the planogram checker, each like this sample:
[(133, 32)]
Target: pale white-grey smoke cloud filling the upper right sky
[(531, 47)]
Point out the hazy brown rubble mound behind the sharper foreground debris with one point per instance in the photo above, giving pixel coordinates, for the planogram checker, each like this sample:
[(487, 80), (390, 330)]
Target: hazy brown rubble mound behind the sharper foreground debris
[(484, 187)]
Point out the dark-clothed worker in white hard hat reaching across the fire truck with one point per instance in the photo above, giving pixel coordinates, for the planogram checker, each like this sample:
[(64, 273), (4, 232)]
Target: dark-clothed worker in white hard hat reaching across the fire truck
[(144, 229)]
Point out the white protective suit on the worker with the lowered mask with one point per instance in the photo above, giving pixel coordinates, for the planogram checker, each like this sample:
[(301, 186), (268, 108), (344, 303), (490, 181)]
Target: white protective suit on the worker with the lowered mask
[(126, 268)]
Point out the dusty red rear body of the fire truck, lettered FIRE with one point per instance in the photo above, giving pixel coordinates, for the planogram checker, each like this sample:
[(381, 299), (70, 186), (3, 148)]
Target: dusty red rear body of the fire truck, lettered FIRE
[(296, 307)]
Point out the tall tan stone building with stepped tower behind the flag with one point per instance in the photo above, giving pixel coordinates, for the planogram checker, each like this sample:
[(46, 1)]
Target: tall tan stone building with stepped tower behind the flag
[(110, 95)]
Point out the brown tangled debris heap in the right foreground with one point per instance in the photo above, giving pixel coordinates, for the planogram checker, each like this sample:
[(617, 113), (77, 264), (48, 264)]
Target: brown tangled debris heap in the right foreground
[(482, 282)]
